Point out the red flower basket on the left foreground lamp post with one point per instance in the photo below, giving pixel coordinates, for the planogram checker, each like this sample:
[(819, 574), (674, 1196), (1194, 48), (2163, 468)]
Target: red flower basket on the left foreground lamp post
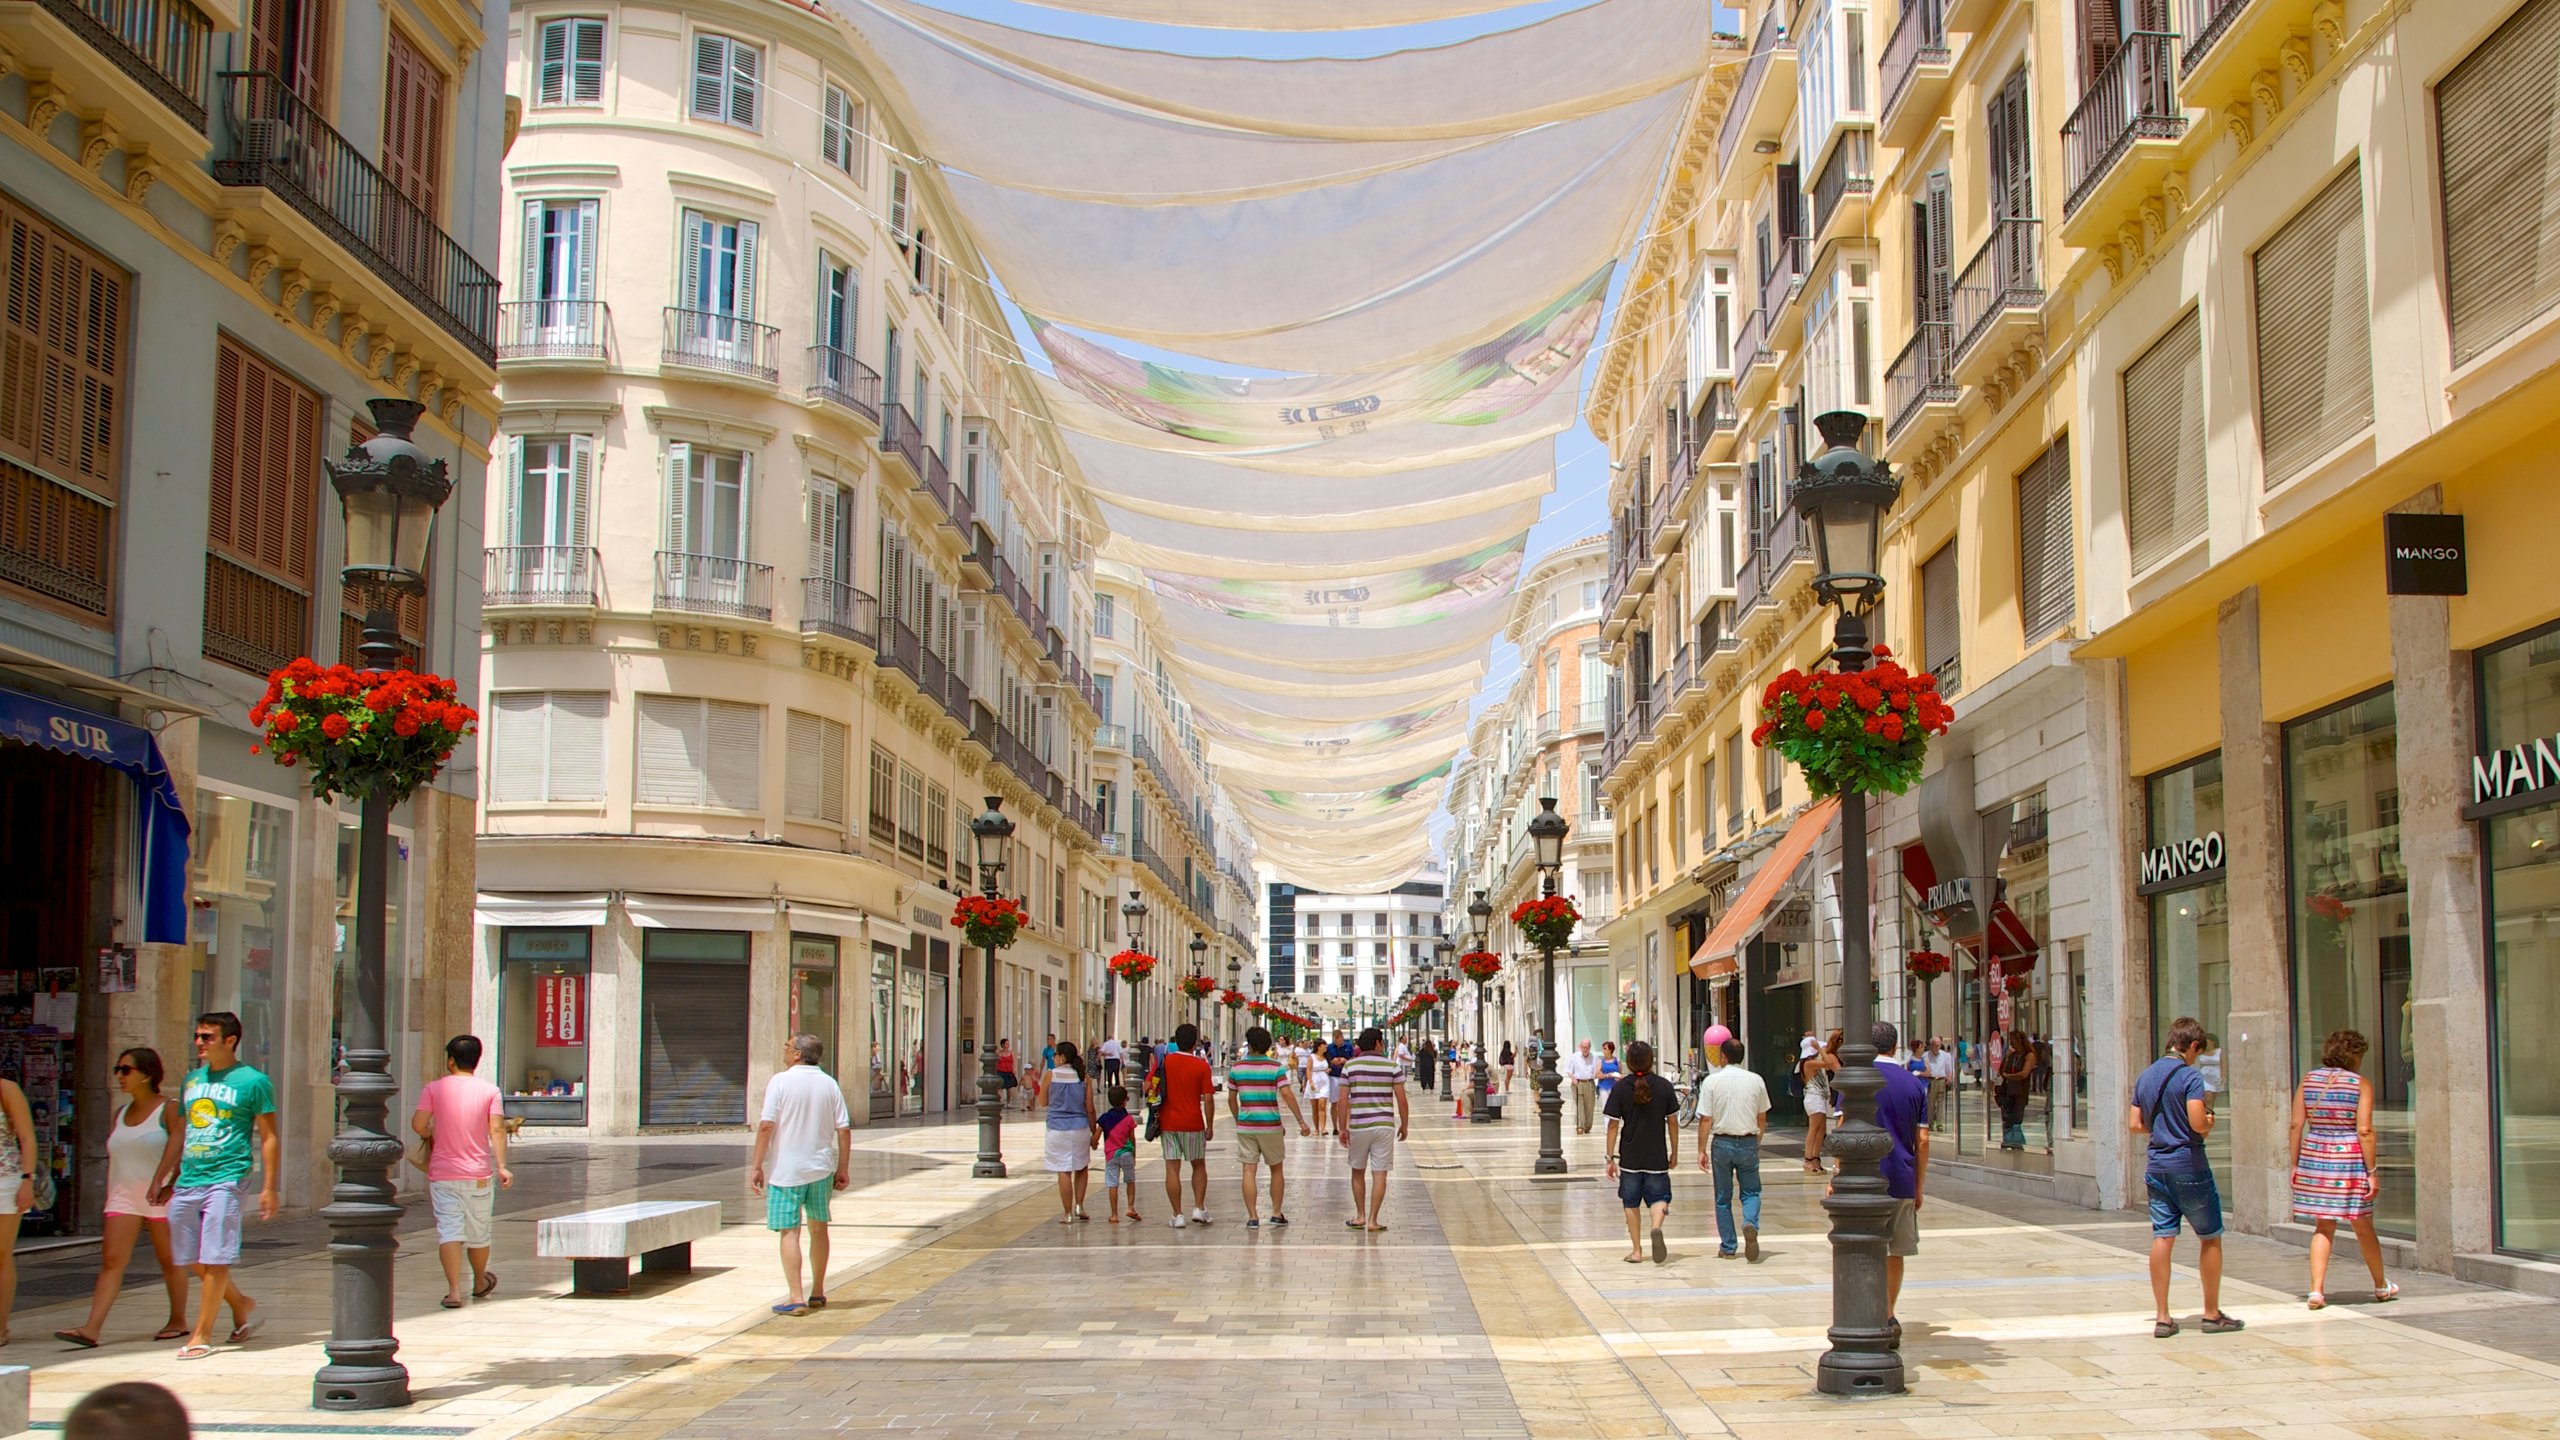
[(362, 732)]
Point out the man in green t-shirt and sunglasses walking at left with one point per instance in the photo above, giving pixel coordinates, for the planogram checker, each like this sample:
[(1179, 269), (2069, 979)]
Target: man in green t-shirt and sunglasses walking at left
[(204, 1167)]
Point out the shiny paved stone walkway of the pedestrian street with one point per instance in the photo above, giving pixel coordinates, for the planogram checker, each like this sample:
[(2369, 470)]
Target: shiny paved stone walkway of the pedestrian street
[(1496, 1305)]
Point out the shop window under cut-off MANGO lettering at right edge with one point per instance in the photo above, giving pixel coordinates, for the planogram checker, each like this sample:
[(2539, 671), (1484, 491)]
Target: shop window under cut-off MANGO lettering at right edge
[(2520, 711)]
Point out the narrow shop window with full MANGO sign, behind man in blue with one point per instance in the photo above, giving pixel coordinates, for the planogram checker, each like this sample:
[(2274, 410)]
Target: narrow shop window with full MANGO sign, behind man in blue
[(2190, 926)]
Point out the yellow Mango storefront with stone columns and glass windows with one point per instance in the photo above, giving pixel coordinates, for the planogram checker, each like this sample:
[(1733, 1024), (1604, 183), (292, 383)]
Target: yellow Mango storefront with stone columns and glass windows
[(2341, 811)]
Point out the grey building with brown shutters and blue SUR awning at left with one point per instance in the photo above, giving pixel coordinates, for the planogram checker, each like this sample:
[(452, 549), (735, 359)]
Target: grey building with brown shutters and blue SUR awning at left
[(227, 232)]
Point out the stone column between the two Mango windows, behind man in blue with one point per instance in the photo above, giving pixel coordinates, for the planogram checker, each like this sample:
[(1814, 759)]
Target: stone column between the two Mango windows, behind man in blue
[(2259, 1052)]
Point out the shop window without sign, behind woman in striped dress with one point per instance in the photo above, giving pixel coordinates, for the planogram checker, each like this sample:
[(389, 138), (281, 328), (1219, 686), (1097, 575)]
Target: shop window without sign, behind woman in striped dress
[(2351, 921)]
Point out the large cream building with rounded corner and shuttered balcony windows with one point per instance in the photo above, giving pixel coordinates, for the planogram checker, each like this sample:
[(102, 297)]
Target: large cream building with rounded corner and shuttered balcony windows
[(785, 580)]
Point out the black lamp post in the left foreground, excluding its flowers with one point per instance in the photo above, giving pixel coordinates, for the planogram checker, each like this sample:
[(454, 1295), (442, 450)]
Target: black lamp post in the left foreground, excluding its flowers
[(390, 496)]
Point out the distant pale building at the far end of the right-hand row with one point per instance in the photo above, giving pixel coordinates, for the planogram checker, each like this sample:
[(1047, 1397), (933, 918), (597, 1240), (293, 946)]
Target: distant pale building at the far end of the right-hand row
[(1542, 739)]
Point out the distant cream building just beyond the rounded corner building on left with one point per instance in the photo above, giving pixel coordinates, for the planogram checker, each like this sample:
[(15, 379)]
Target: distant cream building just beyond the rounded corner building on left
[(1171, 837)]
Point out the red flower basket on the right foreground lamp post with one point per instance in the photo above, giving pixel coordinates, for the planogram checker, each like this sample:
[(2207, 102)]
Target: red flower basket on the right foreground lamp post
[(1860, 732)]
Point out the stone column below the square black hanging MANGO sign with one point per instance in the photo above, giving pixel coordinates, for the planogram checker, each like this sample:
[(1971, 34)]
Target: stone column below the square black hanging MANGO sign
[(2449, 960)]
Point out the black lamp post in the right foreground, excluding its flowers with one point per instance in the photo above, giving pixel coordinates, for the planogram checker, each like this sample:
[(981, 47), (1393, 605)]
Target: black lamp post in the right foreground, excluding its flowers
[(1847, 493)]
